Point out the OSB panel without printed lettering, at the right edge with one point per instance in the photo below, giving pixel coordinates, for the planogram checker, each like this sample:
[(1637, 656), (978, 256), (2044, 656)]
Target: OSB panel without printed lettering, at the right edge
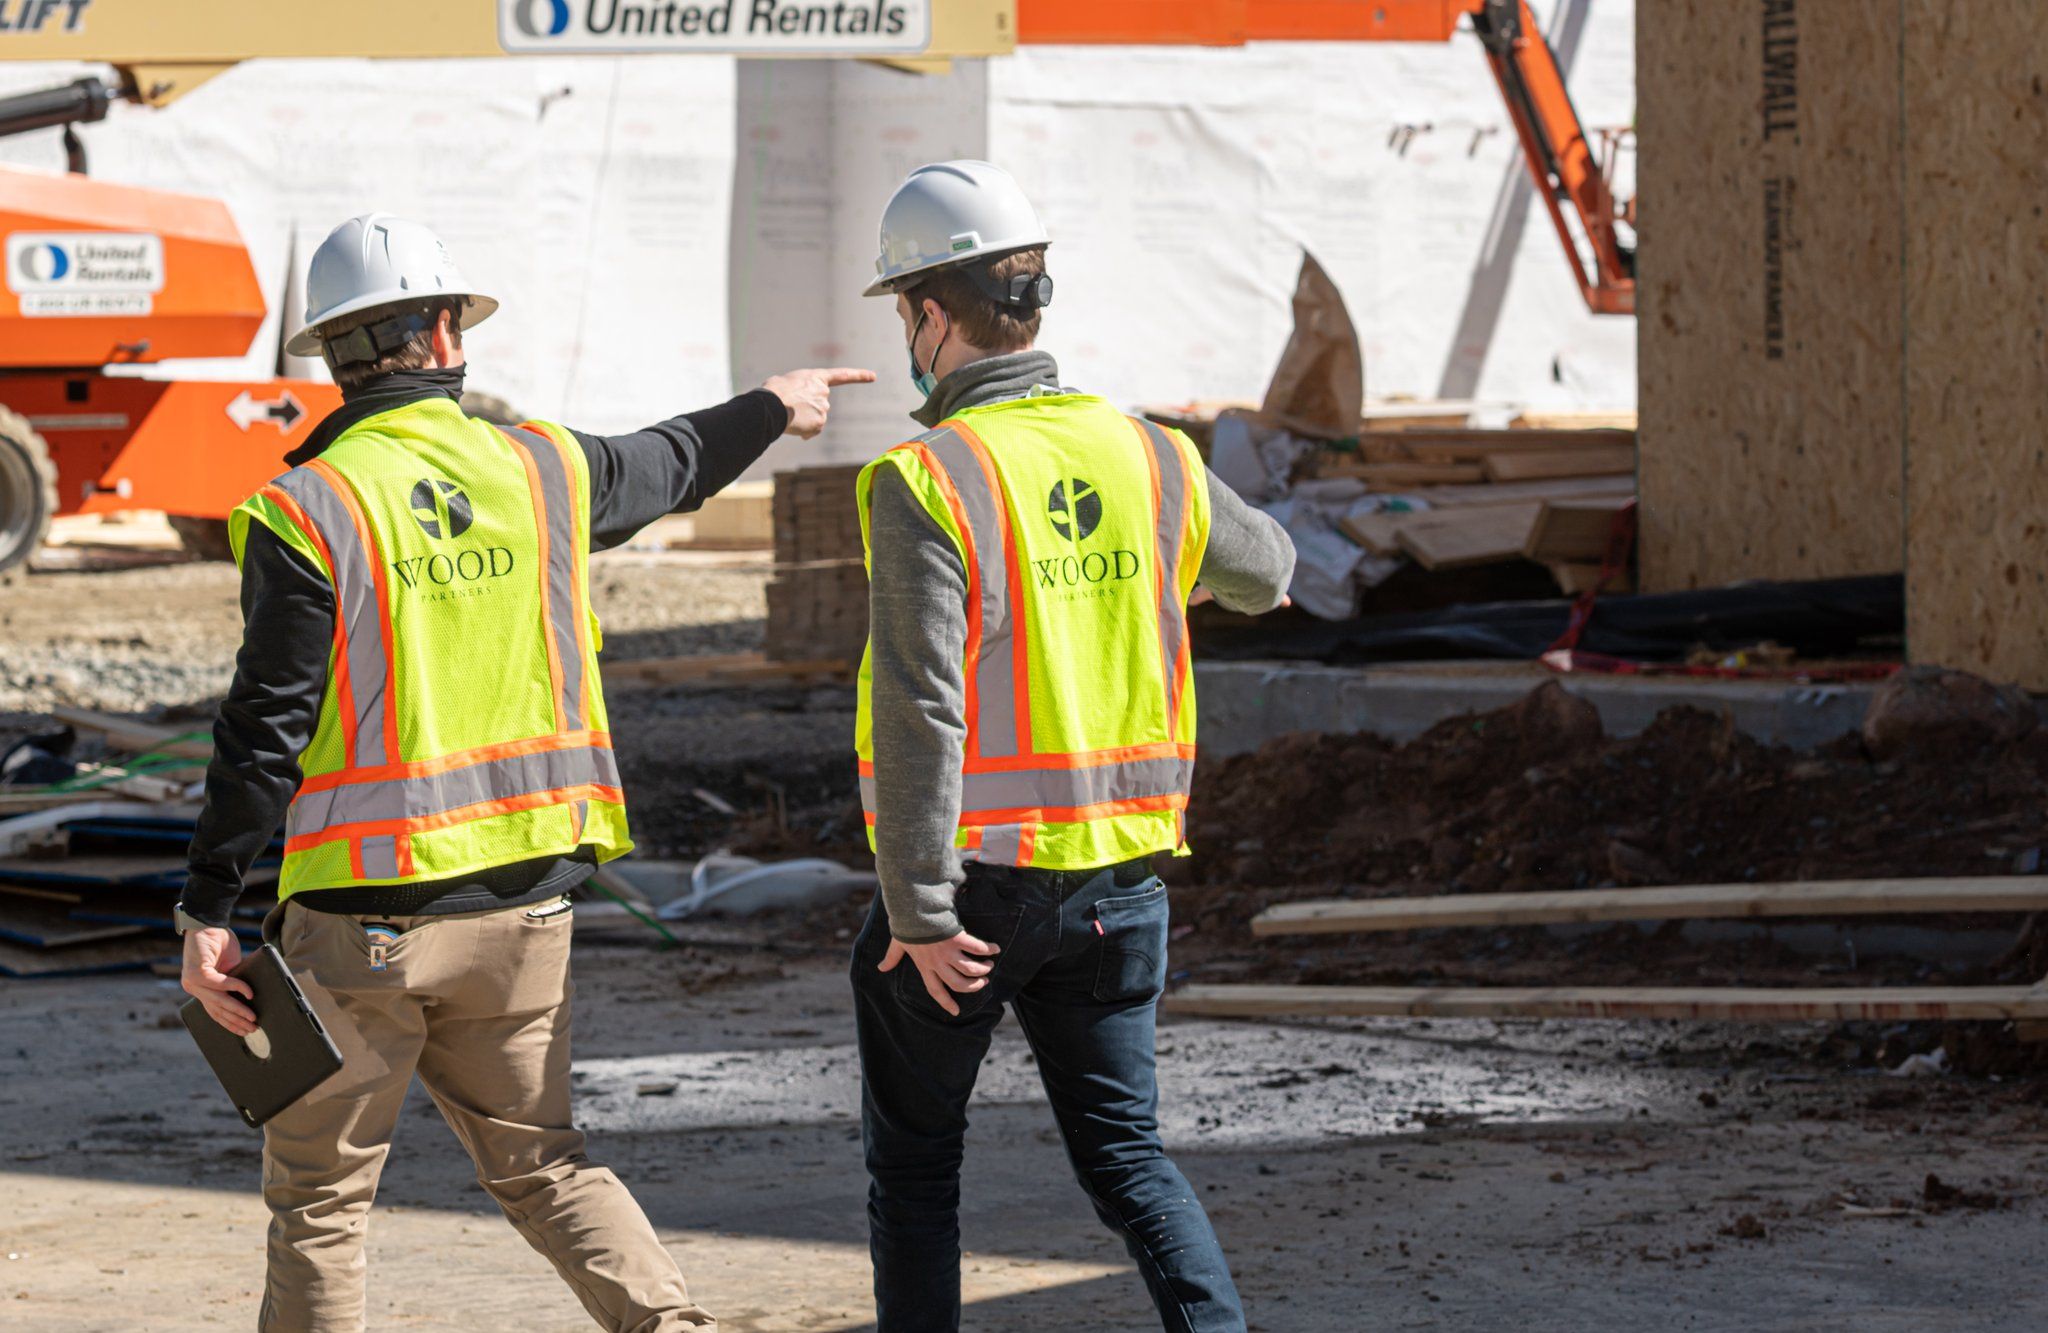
[(1977, 316)]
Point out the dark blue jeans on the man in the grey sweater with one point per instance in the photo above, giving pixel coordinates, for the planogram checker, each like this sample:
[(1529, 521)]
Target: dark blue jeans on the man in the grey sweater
[(1084, 963)]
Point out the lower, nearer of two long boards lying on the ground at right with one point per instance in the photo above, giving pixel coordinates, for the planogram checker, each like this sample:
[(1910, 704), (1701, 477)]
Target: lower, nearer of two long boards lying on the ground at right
[(1725, 1004)]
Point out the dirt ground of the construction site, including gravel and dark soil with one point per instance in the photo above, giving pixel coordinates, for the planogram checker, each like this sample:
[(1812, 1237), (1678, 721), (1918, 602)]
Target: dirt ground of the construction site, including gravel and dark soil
[(1363, 1174)]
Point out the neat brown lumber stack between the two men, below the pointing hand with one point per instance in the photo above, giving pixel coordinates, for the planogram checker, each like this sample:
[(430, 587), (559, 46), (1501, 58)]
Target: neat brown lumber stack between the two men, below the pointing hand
[(818, 599)]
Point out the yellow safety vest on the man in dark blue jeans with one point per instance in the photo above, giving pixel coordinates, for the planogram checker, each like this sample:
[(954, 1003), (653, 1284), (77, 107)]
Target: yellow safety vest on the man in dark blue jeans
[(1082, 533)]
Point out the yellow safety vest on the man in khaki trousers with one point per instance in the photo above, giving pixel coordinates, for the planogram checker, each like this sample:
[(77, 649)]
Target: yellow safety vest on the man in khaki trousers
[(464, 726)]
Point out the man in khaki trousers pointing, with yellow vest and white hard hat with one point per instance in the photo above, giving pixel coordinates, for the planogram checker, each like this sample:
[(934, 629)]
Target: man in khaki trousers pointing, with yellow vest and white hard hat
[(419, 703)]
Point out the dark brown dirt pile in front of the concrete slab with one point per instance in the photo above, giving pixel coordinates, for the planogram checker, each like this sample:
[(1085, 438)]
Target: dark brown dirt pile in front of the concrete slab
[(1537, 798)]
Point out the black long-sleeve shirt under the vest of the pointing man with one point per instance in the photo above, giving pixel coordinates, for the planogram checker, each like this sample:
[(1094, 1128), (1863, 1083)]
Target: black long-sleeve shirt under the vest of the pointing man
[(288, 613)]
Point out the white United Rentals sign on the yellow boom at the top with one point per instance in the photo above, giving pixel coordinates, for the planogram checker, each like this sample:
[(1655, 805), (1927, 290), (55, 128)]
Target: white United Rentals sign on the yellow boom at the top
[(732, 28)]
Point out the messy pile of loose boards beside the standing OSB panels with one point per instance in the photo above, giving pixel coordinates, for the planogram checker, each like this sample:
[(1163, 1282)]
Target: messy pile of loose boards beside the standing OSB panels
[(1488, 497)]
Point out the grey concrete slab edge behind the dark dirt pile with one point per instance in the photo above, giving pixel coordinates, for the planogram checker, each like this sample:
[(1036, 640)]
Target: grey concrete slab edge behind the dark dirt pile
[(1248, 703)]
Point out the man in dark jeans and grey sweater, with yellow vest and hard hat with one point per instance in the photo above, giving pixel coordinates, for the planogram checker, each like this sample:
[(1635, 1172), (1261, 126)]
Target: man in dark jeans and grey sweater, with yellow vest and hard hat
[(1027, 738)]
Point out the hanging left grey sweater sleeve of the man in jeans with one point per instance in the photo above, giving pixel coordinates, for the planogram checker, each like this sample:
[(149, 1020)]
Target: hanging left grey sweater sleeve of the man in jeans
[(919, 628)]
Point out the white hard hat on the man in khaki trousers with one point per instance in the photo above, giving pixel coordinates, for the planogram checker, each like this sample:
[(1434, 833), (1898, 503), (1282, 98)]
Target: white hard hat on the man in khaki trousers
[(380, 261)]
